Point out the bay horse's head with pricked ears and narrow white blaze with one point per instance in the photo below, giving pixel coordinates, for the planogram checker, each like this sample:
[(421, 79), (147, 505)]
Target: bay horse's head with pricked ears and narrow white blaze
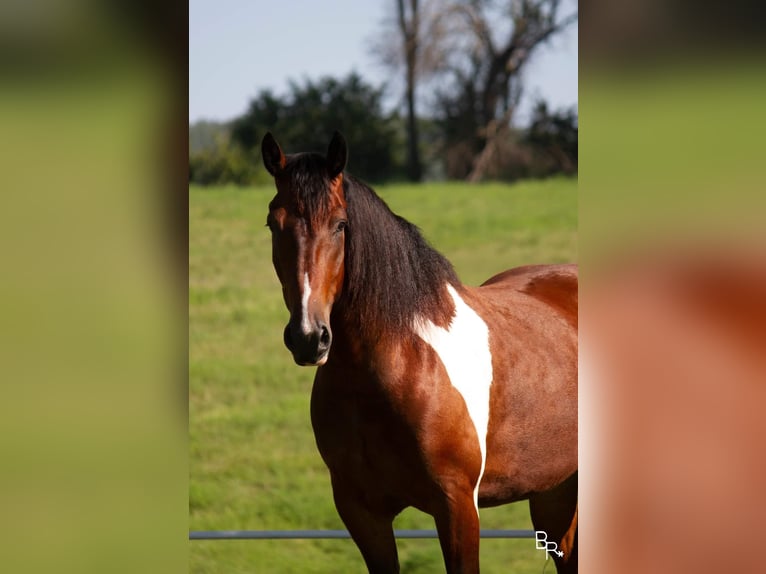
[(308, 222)]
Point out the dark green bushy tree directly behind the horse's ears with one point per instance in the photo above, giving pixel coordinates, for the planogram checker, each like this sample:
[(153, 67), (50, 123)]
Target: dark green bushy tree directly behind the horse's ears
[(305, 118)]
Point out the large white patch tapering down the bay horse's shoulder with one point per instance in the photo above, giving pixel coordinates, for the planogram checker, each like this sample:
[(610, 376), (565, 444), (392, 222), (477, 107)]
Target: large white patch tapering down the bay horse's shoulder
[(464, 351)]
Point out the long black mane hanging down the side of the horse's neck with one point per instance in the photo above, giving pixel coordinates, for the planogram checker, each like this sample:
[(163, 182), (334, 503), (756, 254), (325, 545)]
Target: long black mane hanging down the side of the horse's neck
[(392, 273)]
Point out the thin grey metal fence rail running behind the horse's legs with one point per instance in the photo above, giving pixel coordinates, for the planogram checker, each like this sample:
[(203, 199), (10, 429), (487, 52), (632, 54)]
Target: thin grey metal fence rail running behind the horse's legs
[(327, 534)]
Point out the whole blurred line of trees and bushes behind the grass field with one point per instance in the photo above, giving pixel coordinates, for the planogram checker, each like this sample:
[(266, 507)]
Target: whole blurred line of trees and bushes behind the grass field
[(459, 65)]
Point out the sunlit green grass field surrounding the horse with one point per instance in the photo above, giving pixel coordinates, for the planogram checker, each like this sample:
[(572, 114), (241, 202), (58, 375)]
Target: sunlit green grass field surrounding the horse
[(253, 461)]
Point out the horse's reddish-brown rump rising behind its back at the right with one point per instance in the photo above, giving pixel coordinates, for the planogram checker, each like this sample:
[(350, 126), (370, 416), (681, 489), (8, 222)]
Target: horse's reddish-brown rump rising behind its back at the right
[(554, 285)]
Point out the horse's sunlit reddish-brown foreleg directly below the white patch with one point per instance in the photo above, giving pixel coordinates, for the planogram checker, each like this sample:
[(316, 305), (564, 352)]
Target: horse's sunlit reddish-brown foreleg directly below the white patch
[(458, 526)]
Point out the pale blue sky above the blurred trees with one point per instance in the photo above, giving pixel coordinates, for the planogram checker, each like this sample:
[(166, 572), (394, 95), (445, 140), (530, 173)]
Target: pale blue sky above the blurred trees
[(239, 47)]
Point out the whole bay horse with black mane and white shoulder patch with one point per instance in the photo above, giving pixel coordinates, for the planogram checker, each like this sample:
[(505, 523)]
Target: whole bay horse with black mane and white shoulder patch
[(429, 393)]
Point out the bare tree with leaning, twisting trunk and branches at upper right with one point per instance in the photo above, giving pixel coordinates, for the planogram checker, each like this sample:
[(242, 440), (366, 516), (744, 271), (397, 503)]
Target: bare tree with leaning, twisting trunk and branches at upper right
[(486, 48)]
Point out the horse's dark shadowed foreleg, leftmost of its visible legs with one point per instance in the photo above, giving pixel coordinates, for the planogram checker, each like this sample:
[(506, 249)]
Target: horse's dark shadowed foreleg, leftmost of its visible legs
[(372, 531)]
